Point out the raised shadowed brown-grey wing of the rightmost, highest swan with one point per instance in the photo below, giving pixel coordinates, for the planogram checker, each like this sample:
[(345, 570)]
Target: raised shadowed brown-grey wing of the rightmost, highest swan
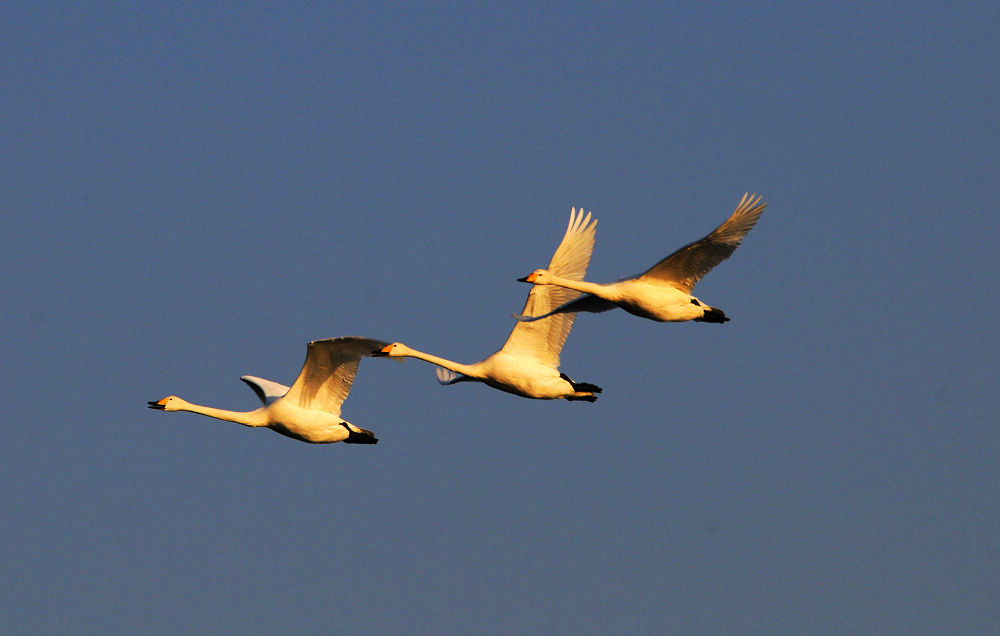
[(685, 267)]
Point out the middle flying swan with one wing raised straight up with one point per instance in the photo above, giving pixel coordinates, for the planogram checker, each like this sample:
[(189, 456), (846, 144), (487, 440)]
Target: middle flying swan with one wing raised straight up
[(528, 363)]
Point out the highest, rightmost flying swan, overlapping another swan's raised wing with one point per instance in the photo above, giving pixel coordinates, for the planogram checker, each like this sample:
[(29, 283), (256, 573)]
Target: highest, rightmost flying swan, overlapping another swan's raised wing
[(663, 292)]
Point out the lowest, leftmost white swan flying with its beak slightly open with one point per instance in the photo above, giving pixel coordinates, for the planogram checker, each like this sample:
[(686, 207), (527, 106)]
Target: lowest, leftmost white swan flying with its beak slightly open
[(309, 410)]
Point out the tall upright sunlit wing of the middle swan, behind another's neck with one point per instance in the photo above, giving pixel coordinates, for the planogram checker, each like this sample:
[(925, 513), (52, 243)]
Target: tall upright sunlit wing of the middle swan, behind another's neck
[(544, 339)]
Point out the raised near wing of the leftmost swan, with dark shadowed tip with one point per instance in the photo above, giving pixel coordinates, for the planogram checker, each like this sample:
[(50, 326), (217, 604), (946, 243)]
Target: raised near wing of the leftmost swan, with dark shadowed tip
[(328, 372)]
